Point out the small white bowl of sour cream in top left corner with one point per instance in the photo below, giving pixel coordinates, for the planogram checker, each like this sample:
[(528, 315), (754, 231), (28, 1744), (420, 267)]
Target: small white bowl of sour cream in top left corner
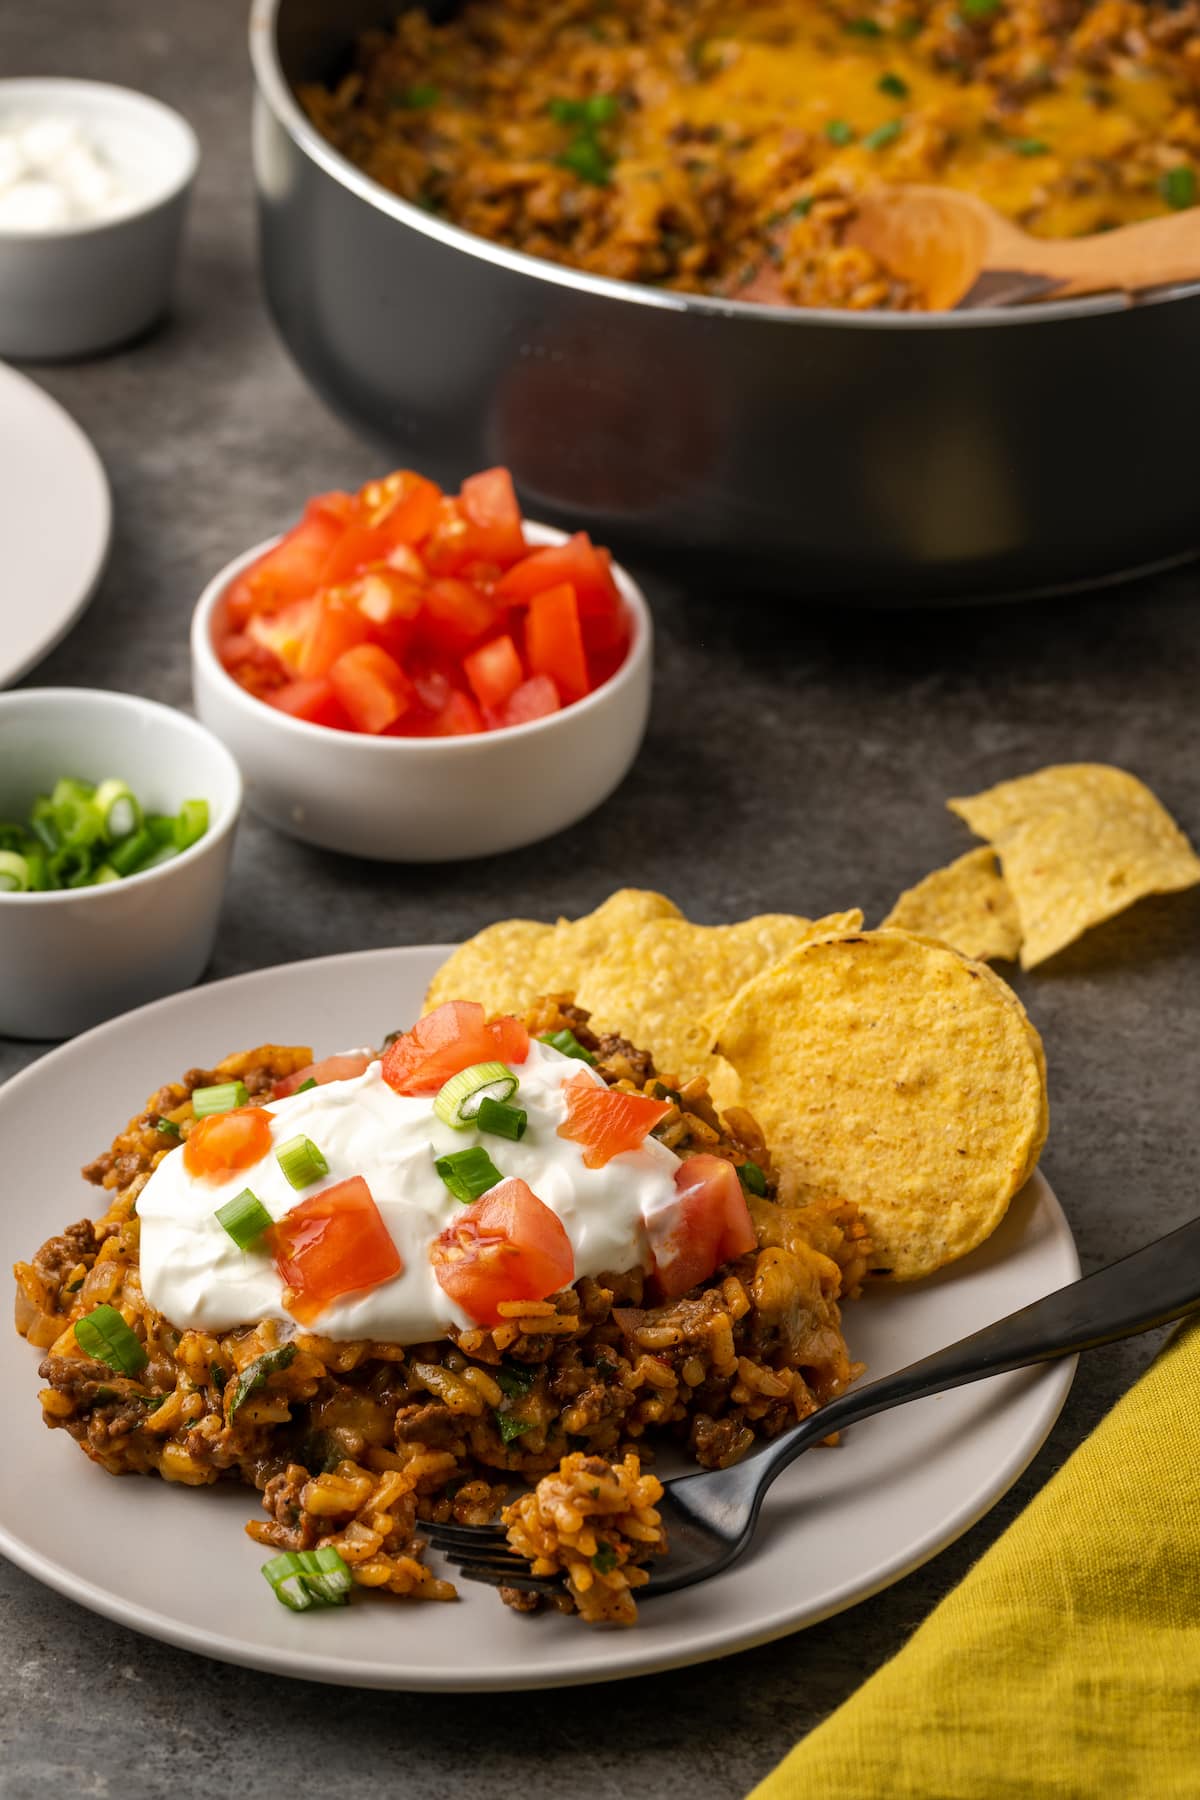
[(94, 186)]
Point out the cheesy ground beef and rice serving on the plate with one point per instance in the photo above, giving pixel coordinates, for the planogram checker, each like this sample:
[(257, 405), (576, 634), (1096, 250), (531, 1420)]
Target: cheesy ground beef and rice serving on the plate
[(352, 1444)]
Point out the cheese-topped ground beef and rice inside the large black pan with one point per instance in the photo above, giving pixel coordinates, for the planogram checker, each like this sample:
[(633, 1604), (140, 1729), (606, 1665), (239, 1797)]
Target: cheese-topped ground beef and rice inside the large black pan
[(717, 148)]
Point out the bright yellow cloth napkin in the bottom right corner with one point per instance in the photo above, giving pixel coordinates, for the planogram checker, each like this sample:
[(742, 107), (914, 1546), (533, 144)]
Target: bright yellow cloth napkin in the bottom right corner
[(1068, 1662)]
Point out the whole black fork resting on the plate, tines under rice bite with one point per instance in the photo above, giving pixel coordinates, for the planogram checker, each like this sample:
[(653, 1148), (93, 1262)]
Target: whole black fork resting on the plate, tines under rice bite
[(712, 1516)]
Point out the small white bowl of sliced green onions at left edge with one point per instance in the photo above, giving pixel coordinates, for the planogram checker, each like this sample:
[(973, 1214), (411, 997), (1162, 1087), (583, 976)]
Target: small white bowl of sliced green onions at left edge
[(116, 831)]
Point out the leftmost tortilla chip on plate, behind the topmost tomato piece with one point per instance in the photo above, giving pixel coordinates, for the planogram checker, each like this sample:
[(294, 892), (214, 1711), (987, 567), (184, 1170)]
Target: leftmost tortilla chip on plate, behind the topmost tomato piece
[(514, 962)]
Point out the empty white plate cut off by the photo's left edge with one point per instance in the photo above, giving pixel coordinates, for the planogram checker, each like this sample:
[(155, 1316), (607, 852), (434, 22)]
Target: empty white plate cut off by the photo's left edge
[(55, 523)]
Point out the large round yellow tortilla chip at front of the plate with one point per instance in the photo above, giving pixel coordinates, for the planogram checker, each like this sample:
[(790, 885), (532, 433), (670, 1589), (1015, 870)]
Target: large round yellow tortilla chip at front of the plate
[(895, 1074)]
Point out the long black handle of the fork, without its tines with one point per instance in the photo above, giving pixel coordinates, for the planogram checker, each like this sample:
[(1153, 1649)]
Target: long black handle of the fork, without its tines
[(1151, 1288)]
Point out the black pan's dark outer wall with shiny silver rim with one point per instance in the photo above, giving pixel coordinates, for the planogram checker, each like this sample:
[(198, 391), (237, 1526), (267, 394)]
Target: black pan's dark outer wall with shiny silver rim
[(884, 458)]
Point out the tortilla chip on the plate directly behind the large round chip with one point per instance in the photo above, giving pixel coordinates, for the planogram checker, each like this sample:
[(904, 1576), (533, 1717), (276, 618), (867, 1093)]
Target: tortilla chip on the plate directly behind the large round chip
[(665, 985)]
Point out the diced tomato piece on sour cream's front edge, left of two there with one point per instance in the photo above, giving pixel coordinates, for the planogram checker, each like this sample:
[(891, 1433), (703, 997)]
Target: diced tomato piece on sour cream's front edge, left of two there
[(332, 1245)]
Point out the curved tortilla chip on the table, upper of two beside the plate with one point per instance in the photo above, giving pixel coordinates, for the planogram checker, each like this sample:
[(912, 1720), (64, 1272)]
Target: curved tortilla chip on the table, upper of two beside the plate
[(1079, 843)]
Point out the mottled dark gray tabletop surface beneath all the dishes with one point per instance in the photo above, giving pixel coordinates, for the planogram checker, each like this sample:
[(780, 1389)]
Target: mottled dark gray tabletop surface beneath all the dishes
[(791, 764)]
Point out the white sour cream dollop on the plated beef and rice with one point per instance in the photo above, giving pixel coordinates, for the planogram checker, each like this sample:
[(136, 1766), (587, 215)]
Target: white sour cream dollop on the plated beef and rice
[(197, 1277)]
